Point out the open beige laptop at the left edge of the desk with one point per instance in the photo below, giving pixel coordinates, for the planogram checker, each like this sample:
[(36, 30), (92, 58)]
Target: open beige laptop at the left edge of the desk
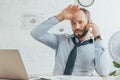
[(11, 65)]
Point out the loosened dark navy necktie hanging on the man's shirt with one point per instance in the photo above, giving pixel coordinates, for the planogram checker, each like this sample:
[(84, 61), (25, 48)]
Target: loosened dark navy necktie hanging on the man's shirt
[(72, 57)]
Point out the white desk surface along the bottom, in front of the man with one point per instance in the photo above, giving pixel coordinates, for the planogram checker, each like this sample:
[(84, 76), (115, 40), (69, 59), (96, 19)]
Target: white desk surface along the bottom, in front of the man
[(75, 78)]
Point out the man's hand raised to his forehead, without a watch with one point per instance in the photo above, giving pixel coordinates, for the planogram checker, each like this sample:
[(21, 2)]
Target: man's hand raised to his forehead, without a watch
[(68, 12)]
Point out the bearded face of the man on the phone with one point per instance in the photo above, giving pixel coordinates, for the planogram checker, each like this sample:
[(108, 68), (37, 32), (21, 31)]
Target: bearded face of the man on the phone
[(79, 23)]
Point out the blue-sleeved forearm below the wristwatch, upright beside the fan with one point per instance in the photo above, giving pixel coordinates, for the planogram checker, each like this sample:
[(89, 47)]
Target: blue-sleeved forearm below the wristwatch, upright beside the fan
[(101, 62)]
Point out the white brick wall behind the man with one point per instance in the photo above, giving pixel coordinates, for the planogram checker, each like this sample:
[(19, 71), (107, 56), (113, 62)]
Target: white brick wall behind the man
[(38, 58)]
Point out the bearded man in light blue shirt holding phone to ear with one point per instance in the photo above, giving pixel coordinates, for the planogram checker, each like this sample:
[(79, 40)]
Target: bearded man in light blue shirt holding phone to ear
[(76, 54)]
